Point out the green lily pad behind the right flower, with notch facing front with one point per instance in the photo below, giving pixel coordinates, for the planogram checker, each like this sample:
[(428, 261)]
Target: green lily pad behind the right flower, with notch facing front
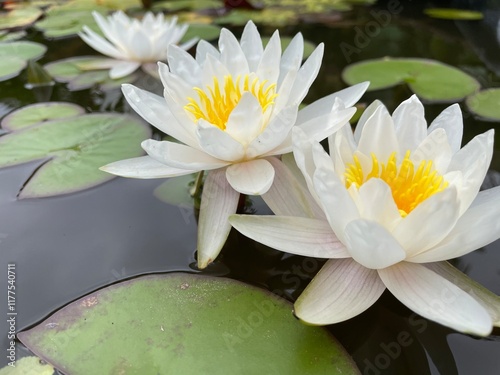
[(431, 80)]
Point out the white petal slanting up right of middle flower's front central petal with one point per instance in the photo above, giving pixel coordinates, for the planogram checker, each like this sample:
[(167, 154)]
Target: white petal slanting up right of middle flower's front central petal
[(273, 139)]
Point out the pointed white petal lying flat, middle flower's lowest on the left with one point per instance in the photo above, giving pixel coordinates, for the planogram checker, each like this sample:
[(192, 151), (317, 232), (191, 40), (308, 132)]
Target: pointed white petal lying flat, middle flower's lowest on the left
[(143, 167)]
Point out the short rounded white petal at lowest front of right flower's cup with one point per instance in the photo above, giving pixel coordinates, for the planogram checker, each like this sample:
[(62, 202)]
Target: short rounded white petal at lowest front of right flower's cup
[(371, 245)]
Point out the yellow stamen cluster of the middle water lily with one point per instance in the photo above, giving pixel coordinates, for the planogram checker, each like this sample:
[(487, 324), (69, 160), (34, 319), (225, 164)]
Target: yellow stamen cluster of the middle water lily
[(216, 103)]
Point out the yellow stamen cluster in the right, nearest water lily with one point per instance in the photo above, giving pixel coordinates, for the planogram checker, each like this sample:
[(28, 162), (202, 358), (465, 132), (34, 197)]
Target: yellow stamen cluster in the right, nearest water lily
[(410, 186)]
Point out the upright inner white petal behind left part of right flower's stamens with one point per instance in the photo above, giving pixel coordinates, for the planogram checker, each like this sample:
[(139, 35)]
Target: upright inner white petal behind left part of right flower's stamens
[(378, 135)]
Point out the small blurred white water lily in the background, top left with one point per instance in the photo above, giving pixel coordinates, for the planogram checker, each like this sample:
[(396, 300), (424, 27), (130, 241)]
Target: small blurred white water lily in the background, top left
[(132, 43)]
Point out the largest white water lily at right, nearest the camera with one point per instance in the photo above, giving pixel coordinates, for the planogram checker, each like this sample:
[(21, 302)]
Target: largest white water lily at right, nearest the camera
[(399, 199)]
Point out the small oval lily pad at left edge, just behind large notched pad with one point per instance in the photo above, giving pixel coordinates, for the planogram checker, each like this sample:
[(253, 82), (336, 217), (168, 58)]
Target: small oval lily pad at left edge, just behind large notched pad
[(41, 112)]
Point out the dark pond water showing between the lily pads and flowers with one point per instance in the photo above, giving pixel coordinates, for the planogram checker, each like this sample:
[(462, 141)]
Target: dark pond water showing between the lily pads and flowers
[(68, 246)]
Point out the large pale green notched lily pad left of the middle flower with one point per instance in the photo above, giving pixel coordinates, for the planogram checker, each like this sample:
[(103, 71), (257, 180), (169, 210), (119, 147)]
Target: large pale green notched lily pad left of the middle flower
[(73, 150)]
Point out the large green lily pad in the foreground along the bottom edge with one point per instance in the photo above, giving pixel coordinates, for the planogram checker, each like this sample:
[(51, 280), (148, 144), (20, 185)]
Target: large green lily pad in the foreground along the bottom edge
[(184, 324)]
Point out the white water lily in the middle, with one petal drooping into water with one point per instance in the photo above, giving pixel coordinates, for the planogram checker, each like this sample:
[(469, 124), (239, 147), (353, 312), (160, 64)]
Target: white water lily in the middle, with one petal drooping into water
[(233, 110)]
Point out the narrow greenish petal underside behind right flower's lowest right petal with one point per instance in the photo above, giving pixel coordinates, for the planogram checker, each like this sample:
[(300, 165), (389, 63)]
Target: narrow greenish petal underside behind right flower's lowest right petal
[(490, 301)]
